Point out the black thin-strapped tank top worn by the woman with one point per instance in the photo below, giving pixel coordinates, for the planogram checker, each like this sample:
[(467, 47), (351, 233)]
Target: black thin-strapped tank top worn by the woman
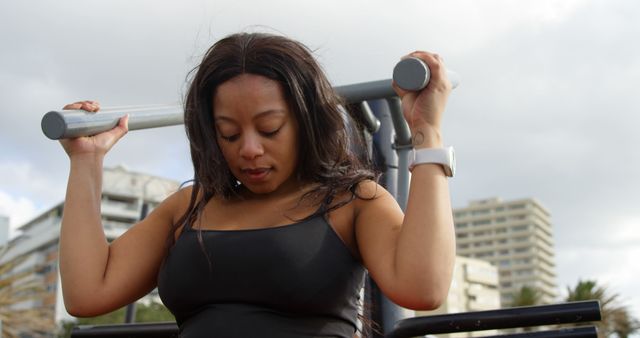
[(297, 280)]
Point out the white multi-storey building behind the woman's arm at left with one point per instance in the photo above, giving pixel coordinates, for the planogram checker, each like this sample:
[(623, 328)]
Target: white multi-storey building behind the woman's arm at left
[(123, 195)]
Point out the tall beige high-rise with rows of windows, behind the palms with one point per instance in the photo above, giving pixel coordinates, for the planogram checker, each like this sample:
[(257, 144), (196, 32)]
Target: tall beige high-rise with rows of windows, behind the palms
[(516, 237)]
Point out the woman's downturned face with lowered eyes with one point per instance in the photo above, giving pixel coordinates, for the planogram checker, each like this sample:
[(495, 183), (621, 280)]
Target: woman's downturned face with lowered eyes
[(257, 133)]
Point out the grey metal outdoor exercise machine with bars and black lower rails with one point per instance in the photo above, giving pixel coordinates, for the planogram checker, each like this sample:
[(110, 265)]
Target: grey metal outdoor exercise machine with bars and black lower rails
[(377, 112)]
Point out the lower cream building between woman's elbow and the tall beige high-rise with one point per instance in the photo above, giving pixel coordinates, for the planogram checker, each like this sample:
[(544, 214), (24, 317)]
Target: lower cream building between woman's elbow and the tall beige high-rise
[(474, 288)]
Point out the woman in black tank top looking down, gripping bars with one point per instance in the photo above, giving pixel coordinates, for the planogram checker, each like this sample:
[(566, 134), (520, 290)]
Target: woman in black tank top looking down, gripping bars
[(273, 237)]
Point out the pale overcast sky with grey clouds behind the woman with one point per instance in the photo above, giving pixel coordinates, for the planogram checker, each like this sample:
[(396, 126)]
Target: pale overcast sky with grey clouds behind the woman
[(548, 105)]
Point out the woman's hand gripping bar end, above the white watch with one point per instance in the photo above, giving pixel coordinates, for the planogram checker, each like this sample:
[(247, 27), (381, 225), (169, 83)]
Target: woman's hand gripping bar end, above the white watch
[(423, 110)]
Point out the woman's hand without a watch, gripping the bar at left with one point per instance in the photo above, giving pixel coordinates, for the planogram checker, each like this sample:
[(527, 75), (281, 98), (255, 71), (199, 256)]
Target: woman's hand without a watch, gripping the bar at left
[(98, 144)]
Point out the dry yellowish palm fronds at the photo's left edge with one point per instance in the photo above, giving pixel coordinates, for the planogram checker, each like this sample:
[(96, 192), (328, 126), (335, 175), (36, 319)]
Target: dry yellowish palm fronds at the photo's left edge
[(16, 289)]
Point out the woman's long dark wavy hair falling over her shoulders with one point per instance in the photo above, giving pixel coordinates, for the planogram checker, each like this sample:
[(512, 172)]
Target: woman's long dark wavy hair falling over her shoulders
[(324, 154)]
